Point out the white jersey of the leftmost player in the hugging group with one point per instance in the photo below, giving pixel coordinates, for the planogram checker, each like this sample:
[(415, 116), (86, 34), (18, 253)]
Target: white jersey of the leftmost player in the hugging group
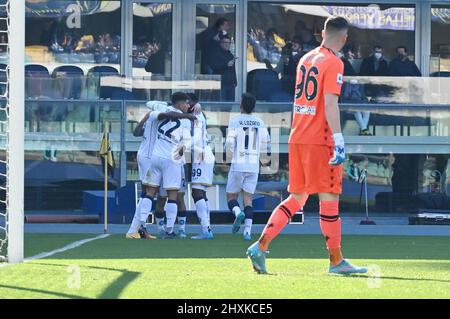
[(150, 128)]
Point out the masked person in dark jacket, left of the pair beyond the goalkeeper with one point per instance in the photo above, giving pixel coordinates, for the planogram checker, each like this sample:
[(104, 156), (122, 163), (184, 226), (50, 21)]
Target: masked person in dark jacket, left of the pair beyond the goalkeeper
[(375, 65)]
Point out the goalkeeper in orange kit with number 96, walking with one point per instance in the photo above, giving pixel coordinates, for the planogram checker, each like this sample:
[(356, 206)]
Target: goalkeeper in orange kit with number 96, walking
[(316, 149)]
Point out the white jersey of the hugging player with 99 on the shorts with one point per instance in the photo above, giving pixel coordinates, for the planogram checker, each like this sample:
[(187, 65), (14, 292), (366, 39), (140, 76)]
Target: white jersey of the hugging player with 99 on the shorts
[(201, 149)]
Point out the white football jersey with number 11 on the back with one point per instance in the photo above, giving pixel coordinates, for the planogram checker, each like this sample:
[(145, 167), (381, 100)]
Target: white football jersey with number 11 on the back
[(247, 137)]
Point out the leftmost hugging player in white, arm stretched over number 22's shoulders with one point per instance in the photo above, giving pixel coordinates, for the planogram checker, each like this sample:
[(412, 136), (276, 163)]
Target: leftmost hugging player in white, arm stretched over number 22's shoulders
[(148, 129)]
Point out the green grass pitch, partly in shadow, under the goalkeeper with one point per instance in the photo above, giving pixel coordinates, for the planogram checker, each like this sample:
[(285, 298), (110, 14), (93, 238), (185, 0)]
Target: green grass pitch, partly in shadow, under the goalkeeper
[(402, 267)]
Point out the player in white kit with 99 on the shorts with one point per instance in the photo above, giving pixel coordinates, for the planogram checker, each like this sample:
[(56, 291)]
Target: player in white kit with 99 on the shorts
[(202, 170)]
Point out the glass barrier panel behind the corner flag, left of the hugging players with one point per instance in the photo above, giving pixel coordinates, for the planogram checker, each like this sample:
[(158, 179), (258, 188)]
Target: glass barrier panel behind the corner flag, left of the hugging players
[(62, 140)]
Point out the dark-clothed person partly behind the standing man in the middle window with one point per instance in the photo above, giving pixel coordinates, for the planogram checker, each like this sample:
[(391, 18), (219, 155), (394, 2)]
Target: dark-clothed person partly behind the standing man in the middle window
[(210, 40)]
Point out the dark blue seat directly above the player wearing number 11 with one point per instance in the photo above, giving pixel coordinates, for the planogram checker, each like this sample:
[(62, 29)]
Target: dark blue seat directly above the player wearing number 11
[(262, 83)]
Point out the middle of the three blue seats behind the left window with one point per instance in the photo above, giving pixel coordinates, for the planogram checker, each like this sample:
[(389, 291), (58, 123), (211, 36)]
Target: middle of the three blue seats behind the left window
[(69, 81)]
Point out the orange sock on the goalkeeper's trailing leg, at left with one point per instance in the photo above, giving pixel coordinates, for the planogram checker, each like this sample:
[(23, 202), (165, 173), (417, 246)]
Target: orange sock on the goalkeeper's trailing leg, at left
[(279, 218)]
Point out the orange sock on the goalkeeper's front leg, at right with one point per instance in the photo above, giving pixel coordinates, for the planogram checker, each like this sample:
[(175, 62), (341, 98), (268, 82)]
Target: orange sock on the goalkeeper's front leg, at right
[(330, 224)]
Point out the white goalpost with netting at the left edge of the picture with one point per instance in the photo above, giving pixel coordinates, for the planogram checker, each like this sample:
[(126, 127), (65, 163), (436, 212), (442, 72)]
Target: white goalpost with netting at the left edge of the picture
[(12, 81)]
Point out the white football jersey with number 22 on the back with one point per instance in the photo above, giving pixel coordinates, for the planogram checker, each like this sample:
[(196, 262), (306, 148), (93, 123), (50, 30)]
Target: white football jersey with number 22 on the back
[(171, 136)]
